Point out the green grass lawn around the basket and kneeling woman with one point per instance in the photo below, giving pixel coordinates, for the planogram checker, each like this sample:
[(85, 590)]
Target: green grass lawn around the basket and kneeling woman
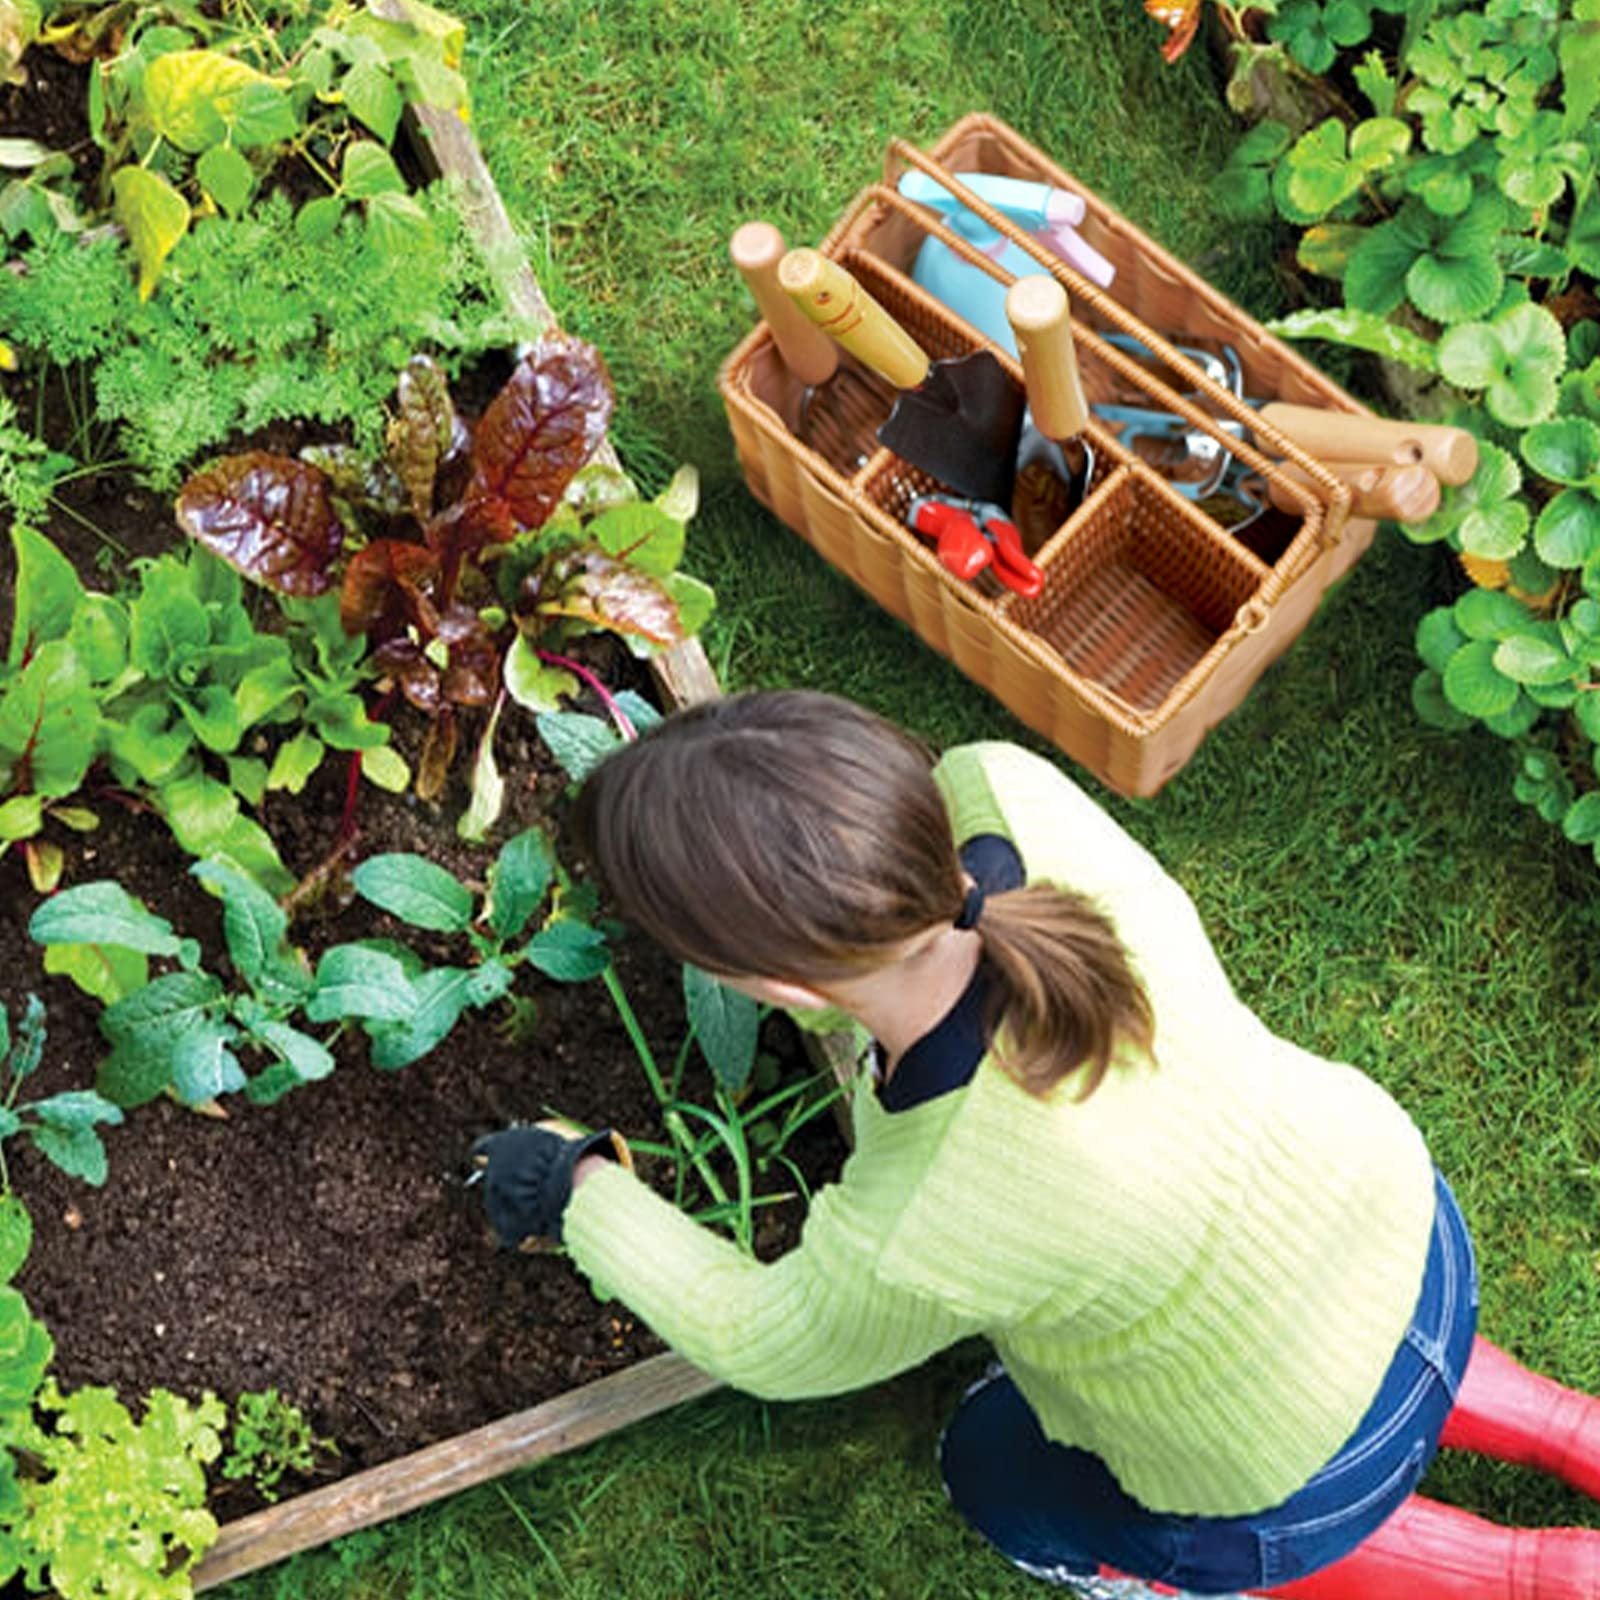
[(1375, 890)]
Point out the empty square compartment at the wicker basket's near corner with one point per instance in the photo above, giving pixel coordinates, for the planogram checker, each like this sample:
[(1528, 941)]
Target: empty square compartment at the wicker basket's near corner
[(1138, 593)]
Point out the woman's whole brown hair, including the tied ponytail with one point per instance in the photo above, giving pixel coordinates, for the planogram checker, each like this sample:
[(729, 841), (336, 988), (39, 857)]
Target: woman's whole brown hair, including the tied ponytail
[(798, 836)]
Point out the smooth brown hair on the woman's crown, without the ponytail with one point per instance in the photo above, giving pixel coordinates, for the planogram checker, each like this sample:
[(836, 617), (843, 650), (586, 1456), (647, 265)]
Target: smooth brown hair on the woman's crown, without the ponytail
[(786, 836)]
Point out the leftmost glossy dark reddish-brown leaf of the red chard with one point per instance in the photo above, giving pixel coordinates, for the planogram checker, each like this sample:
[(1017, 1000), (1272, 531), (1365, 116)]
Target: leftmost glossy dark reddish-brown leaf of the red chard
[(266, 516)]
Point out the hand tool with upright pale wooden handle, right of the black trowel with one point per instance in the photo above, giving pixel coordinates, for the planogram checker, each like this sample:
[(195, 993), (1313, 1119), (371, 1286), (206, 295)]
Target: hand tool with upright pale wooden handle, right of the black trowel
[(1055, 462)]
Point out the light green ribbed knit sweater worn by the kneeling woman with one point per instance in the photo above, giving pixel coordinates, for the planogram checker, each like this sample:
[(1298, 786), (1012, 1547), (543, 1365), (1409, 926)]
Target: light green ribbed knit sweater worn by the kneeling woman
[(1201, 1273)]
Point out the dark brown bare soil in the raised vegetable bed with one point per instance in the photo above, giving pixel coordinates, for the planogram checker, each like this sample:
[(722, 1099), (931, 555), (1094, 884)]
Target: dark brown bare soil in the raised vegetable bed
[(327, 1246)]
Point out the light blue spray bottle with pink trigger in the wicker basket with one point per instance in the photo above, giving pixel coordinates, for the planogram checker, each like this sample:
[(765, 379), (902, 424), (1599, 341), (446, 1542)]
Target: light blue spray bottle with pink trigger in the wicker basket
[(970, 292)]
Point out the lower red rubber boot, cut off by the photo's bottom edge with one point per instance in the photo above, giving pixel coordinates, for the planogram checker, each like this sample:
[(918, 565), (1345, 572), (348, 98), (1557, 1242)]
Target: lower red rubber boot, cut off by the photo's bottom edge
[(1428, 1551)]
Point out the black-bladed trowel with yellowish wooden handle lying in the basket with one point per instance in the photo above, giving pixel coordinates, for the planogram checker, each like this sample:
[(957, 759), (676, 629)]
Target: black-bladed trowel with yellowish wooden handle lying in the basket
[(958, 420)]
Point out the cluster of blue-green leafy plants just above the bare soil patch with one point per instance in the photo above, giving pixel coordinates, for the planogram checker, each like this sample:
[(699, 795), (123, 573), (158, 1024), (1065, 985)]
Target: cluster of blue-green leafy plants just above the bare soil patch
[(185, 1033)]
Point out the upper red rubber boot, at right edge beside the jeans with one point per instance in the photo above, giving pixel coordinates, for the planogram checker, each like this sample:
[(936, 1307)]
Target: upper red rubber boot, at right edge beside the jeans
[(1514, 1415)]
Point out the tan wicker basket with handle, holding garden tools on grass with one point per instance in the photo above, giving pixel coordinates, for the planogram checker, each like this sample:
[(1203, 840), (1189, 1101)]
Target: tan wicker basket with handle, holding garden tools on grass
[(1154, 622)]
